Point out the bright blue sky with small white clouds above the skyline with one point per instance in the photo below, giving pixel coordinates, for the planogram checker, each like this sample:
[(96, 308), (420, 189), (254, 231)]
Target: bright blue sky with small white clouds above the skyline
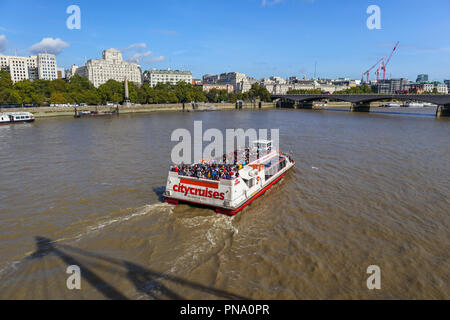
[(258, 37)]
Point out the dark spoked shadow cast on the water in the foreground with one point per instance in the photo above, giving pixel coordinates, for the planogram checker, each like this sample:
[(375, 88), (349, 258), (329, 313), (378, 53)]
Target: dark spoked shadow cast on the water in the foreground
[(144, 280)]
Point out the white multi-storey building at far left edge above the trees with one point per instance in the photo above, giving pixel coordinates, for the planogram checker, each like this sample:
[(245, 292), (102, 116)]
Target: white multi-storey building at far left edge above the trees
[(43, 66)]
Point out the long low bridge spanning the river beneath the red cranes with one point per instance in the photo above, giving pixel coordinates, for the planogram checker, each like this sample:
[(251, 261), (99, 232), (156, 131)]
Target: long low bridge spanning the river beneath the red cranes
[(361, 102)]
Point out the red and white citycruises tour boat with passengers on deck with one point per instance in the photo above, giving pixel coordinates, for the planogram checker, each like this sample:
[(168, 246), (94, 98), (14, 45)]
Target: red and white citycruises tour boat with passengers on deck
[(231, 195)]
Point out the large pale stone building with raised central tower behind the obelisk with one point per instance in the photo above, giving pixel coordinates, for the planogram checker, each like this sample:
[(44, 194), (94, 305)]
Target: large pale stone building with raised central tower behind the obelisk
[(111, 66)]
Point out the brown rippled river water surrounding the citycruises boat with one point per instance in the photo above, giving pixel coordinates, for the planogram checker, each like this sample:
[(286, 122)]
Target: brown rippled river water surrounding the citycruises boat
[(367, 189)]
